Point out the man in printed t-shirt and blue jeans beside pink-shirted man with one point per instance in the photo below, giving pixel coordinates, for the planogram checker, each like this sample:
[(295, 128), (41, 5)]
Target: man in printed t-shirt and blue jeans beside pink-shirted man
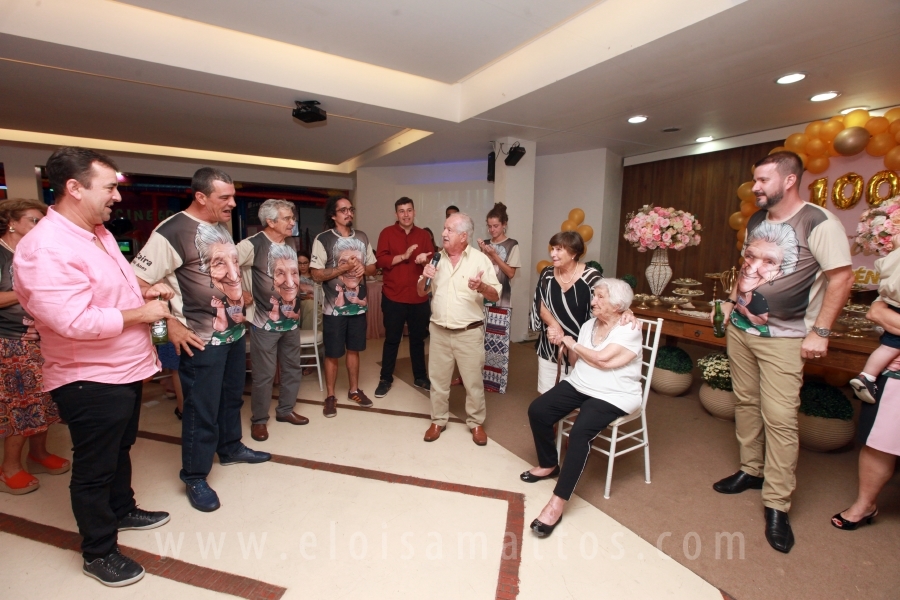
[(194, 253)]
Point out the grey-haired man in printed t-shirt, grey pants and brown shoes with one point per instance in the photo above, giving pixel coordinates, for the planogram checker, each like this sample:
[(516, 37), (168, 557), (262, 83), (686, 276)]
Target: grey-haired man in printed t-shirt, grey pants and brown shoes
[(270, 273)]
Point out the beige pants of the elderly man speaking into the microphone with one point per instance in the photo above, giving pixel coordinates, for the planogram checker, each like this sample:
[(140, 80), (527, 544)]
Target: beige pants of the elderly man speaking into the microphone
[(466, 350)]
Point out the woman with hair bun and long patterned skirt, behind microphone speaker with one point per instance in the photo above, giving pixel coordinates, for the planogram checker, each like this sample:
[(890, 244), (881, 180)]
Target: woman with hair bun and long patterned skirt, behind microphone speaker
[(504, 254)]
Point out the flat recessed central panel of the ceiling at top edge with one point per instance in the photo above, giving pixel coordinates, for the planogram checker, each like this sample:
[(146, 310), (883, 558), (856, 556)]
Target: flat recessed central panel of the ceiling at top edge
[(450, 39)]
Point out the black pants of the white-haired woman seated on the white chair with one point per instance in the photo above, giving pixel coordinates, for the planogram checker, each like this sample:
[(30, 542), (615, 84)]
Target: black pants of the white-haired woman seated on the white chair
[(594, 417)]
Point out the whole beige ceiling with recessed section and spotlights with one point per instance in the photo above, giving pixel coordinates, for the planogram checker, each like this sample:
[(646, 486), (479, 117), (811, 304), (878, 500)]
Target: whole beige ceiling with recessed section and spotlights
[(232, 89)]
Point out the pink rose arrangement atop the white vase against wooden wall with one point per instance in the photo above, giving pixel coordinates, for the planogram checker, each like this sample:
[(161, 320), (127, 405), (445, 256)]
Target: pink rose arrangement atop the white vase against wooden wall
[(655, 227)]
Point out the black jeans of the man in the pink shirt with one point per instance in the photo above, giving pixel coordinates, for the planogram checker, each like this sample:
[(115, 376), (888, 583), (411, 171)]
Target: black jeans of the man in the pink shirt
[(103, 422)]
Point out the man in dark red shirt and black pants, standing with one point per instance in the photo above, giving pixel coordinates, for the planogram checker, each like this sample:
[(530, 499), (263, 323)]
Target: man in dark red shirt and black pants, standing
[(403, 249)]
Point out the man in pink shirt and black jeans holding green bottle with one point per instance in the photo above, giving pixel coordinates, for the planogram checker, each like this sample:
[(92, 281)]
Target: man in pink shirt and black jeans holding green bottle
[(93, 321)]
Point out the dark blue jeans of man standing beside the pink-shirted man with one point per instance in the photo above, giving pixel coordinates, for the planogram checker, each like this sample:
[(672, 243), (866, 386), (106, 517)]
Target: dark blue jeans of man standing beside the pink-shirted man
[(213, 385)]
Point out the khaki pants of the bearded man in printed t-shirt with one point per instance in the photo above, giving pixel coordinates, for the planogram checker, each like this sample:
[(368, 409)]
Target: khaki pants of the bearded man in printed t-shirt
[(766, 374)]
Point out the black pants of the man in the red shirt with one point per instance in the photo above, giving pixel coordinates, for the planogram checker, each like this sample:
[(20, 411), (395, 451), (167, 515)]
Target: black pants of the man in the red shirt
[(416, 316)]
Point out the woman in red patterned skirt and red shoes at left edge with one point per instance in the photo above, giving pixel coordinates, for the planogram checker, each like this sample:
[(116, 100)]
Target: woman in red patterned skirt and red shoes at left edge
[(26, 411)]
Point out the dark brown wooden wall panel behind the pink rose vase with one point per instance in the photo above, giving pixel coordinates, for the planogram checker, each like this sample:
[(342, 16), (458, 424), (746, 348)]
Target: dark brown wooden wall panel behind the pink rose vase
[(705, 185)]
